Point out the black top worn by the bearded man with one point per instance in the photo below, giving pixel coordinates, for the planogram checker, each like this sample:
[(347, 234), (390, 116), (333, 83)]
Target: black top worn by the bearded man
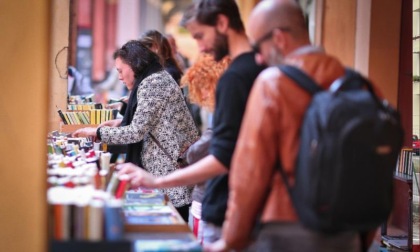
[(231, 96)]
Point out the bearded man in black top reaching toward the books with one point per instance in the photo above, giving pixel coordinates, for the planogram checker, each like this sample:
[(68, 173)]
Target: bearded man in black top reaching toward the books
[(218, 29)]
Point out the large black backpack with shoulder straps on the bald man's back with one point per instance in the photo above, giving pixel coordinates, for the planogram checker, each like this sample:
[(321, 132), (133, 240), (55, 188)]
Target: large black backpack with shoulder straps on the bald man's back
[(349, 145)]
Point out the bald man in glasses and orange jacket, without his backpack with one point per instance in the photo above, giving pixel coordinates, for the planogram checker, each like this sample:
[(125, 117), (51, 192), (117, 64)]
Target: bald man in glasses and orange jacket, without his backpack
[(270, 132)]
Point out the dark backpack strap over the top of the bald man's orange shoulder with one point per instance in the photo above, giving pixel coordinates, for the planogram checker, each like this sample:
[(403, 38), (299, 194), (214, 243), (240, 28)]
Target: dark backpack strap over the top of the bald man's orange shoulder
[(301, 78)]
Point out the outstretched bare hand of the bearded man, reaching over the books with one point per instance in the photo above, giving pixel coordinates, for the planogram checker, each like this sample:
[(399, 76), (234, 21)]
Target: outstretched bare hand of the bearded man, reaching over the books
[(137, 176)]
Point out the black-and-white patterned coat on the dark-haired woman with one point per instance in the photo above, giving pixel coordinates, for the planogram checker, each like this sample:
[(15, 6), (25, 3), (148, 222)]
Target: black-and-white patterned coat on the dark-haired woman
[(161, 111)]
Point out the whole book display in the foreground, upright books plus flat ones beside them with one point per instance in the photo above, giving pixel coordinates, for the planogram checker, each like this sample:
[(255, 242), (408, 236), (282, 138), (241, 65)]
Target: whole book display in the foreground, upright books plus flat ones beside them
[(91, 208)]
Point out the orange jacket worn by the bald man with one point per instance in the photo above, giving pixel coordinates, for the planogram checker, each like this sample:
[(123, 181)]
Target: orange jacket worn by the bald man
[(270, 130)]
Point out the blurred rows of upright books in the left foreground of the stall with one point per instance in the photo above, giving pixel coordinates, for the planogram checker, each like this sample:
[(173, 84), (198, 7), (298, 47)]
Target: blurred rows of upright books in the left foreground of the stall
[(84, 205)]
